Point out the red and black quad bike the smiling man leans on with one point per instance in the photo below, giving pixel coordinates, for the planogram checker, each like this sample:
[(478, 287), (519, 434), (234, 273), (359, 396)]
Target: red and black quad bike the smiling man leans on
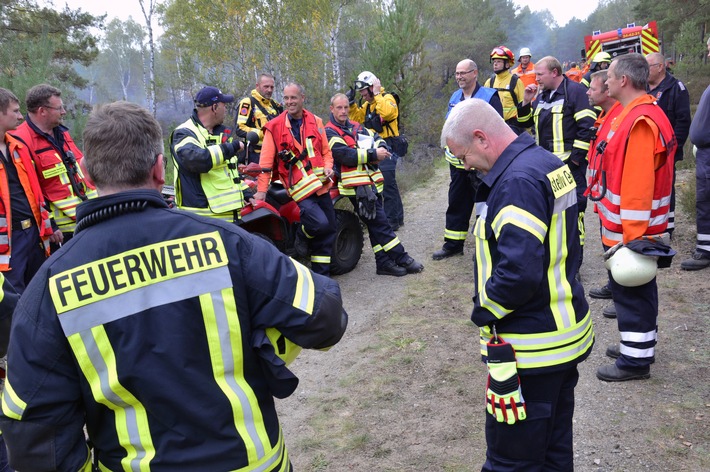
[(278, 217)]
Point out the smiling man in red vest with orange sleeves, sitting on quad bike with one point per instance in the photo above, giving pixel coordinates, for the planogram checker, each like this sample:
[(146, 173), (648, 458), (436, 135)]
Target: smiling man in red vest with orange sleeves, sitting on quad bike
[(295, 150)]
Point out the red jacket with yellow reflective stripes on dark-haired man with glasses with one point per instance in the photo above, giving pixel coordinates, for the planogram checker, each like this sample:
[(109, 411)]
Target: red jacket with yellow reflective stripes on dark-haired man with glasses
[(53, 176)]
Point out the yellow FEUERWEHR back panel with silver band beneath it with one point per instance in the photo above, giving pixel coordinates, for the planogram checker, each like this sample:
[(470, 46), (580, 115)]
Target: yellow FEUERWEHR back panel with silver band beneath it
[(134, 281)]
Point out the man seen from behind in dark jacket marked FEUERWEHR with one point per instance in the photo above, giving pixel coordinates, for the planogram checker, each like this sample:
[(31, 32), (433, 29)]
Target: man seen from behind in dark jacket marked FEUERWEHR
[(153, 327)]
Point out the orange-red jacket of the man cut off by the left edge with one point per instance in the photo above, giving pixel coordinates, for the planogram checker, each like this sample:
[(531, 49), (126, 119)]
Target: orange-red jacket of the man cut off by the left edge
[(19, 153)]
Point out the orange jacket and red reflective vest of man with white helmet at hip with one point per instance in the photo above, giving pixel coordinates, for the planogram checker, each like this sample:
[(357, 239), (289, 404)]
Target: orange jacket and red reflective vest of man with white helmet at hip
[(638, 187)]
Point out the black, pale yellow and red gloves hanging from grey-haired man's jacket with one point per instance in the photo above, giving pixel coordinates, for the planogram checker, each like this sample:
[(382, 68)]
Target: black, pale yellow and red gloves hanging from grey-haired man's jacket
[(504, 399)]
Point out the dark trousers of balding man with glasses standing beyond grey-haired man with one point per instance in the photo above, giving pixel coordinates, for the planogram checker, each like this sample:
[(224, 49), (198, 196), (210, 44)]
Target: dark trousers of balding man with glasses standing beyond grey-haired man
[(461, 203)]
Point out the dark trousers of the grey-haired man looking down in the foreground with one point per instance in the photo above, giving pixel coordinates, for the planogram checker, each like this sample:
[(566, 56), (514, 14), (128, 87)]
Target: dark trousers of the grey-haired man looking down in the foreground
[(543, 441)]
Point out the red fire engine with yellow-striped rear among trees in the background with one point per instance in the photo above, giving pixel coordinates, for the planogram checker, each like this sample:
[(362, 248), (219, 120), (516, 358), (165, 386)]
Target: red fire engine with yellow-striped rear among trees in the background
[(641, 39)]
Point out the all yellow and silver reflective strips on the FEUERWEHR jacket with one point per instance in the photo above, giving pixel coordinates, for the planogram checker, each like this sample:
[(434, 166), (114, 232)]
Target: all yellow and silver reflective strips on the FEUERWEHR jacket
[(86, 298)]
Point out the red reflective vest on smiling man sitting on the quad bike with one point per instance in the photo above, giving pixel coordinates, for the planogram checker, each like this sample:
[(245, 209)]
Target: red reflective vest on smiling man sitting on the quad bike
[(305, 176)]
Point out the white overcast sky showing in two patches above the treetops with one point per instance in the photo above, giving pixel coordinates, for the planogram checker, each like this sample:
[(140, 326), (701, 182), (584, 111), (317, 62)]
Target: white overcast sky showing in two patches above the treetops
[(563, 11)]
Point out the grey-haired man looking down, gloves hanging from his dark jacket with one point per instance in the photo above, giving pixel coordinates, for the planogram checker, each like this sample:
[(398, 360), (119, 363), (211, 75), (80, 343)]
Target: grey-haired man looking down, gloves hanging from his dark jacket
[(534, 321)]
